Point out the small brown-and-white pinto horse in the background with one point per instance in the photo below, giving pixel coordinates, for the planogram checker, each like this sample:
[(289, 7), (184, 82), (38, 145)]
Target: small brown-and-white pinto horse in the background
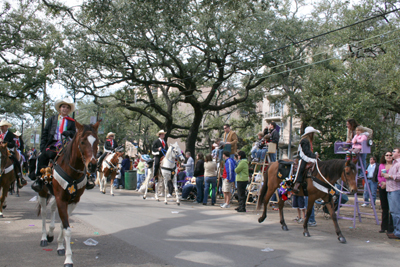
[(109, 168)]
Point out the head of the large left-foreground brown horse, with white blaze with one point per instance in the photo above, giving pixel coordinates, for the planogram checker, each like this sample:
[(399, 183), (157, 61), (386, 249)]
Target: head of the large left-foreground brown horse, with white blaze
[(87, 143)]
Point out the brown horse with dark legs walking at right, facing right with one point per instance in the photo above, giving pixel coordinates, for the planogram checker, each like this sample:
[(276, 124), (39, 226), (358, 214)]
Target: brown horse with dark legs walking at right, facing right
[(332, 170)]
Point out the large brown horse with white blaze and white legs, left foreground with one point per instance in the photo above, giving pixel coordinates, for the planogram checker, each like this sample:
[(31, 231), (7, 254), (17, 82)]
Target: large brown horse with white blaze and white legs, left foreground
[(68, 183)]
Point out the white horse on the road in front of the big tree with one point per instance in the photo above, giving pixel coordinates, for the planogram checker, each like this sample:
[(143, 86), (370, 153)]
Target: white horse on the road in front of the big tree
[(169, 169)]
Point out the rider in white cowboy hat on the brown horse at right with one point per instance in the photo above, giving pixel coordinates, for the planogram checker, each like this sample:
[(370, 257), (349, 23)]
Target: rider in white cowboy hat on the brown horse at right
[(305, 151)]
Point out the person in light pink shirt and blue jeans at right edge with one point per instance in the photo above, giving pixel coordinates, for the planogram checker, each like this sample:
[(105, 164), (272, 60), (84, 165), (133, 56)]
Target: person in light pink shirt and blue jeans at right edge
[(393, 189)]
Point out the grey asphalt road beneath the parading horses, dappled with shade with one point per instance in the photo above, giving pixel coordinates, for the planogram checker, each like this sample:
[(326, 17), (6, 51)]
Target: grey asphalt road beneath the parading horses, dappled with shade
[(136, 232)]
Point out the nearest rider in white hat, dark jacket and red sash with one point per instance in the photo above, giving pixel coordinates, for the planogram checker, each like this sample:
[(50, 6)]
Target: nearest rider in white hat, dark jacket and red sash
[(56, 129)]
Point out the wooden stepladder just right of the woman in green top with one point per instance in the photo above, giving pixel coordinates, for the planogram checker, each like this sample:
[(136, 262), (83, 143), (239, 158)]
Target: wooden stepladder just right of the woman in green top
[(254, 187)]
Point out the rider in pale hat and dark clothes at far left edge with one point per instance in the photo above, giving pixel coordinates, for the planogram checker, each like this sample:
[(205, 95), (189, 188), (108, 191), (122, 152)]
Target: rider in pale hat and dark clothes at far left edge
[(9, 137)]
